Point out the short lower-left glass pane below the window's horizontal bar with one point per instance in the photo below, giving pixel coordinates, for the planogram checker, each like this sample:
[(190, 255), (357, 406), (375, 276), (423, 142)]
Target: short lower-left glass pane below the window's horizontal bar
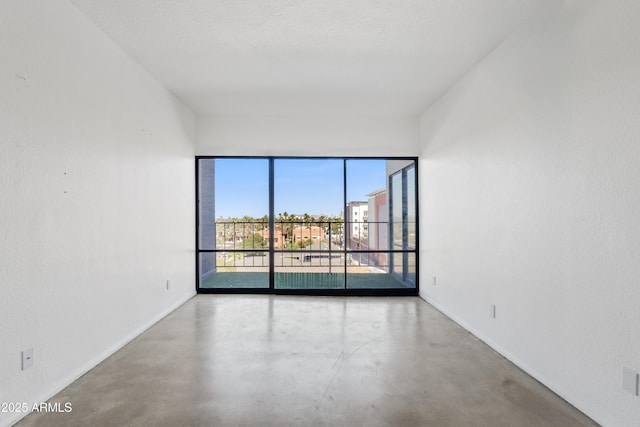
[(234, 270)]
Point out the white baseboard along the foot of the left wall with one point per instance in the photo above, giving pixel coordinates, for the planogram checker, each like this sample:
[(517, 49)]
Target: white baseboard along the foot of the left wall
[(62, 384)]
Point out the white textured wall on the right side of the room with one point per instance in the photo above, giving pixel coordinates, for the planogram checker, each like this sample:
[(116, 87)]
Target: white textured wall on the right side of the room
[(530, 200)]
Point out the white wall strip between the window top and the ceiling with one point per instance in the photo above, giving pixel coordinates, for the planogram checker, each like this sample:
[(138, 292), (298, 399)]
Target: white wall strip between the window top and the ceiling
[(308, 136)]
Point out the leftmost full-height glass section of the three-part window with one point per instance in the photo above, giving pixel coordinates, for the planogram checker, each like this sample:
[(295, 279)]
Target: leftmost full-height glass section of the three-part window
[(233, 208)]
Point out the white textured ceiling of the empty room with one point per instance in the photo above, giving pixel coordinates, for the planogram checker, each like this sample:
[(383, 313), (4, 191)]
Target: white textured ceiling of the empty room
[(306, 57)]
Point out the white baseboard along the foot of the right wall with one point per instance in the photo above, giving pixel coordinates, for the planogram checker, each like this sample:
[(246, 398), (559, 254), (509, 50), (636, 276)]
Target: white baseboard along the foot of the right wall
[(551, 385)]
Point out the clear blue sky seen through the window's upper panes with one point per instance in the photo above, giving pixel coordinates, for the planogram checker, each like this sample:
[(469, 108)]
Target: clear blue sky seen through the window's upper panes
[(313, 186)]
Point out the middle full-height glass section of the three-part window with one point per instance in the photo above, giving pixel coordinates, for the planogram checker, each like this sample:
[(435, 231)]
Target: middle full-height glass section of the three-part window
[(308, 197)]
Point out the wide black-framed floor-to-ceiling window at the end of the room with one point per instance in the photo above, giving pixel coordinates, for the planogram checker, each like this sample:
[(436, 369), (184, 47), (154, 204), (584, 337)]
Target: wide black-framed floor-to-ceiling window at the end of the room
[(307, 225)]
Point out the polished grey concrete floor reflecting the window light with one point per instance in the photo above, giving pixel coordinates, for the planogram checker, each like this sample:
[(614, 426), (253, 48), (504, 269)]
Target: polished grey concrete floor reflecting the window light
[(307, 361)]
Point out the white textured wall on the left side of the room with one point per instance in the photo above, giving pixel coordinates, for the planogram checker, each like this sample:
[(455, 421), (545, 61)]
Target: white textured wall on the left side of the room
[(96, 178)]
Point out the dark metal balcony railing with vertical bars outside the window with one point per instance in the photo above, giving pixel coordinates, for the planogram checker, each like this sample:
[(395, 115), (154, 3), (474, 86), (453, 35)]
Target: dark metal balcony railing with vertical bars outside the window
[(330, 247)]
